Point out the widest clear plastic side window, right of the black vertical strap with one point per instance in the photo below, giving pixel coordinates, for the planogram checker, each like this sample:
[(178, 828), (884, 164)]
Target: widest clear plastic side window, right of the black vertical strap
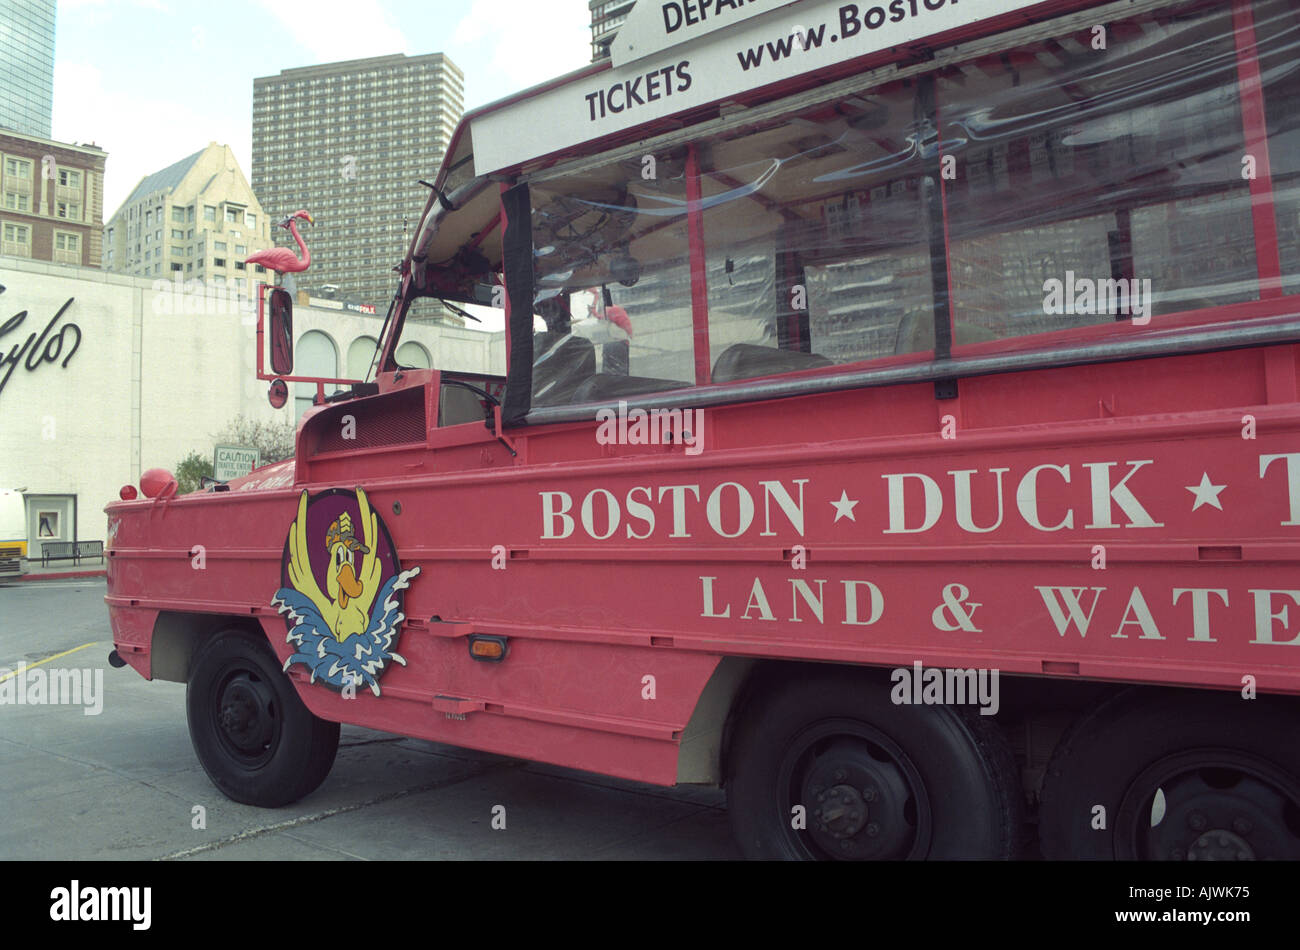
[(1084, 166)]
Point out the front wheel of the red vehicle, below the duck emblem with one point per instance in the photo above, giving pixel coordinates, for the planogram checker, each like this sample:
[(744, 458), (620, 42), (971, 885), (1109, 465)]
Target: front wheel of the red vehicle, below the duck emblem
[(254, 736)]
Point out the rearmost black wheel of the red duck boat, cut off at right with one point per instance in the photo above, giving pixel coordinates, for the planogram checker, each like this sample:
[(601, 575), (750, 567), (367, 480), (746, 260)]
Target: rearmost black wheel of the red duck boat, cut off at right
[(1206, 777)]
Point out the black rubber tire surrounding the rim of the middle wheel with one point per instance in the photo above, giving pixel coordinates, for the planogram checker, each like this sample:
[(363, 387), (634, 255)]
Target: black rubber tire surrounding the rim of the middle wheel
[(961, 761)]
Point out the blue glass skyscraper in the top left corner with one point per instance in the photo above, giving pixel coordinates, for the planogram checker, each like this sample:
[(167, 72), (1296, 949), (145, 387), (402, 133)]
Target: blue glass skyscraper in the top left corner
[(28, 67)]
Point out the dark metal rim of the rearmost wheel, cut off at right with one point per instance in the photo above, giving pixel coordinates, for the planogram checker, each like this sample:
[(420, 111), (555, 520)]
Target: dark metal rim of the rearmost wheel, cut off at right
[(1210, 805)]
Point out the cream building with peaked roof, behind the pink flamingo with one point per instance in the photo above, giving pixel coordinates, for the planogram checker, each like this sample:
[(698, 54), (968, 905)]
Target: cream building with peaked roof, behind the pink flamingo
[(196, 220)]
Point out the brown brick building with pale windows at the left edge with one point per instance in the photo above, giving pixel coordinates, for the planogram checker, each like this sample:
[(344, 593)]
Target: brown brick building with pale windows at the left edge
[(51, 199)]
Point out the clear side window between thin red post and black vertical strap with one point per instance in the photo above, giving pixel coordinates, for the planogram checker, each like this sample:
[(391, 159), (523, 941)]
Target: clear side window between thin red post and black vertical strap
[(817, 244)]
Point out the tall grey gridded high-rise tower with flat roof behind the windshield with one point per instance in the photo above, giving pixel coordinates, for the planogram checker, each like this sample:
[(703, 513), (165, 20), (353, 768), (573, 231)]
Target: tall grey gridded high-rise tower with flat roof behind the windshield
[(350, 142)]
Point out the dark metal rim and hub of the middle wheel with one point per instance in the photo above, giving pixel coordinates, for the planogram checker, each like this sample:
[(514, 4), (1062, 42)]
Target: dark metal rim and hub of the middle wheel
[(863, 796)]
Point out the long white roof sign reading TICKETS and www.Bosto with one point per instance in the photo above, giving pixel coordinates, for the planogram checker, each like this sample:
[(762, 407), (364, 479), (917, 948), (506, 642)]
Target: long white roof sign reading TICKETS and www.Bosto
[(716, 66)]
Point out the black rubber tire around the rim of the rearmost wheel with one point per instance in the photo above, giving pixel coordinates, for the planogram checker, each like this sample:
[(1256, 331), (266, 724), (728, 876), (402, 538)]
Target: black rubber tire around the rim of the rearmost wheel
[(1103, 757)]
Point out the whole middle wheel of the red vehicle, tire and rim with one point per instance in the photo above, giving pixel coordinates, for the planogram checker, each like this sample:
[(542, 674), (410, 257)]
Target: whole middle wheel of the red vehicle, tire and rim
[(878, 782)]
